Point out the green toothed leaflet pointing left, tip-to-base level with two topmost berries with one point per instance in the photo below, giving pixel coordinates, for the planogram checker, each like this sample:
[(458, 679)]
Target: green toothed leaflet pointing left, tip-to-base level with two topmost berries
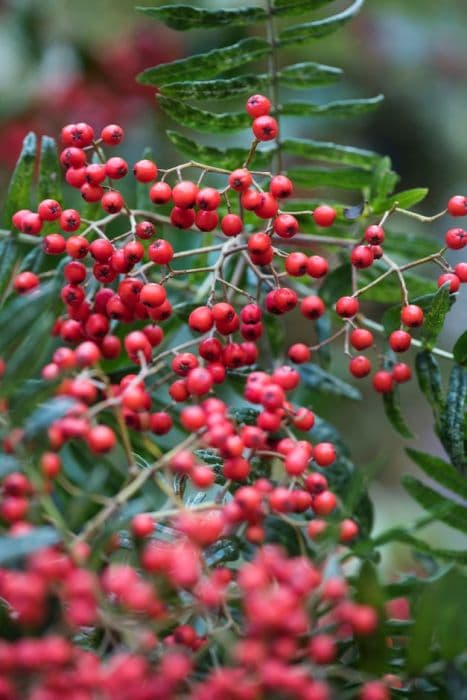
[(201, 120)]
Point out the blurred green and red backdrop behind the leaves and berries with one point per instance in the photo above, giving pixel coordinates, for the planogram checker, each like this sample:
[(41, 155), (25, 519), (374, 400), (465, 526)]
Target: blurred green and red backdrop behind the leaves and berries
[(64, 61)]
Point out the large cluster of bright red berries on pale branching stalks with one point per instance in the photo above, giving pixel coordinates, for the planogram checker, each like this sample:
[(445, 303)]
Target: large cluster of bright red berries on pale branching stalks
[(118, 291)]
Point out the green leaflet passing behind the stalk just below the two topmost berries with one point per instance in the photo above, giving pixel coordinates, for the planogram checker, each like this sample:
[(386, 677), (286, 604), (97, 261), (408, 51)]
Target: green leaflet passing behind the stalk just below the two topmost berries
[(230, 158)]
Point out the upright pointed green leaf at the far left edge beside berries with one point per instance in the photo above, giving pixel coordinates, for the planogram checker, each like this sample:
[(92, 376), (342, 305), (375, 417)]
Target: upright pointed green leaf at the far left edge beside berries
[(19, 190)]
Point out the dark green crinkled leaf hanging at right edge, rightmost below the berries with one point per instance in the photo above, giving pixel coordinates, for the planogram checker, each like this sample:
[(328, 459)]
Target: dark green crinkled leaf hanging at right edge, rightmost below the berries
[(452, 418)]
